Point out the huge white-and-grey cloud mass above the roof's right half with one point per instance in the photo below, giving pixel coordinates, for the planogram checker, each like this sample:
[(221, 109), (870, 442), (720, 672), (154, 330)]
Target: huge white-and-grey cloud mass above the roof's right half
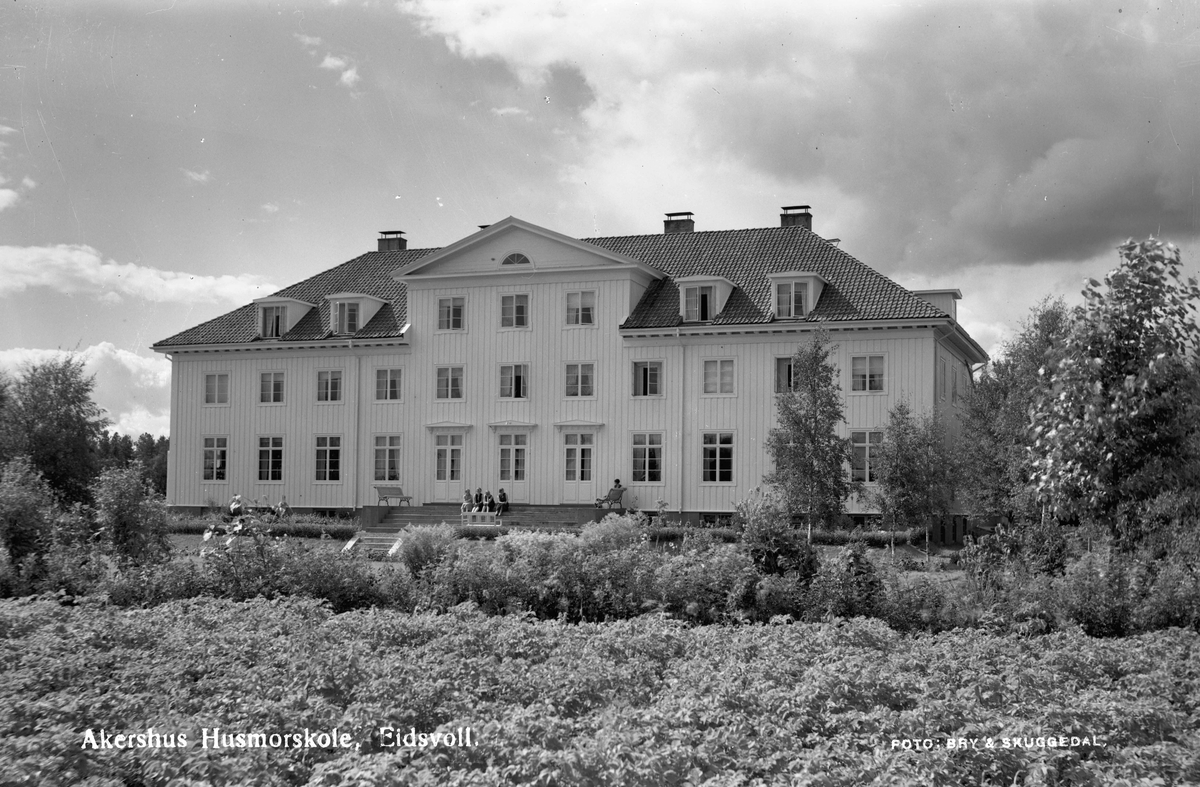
[(929, 136)]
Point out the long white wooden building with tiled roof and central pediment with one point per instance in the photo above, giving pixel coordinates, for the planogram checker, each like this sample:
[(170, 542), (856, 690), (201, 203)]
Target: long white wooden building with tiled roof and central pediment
[(524, 359)]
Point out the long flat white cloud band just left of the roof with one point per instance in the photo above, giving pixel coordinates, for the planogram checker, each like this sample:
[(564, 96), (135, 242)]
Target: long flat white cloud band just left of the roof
[(82, 271)]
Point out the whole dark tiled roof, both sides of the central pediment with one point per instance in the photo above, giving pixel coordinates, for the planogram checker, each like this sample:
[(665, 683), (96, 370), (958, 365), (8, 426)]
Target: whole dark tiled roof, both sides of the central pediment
[(746, 257)]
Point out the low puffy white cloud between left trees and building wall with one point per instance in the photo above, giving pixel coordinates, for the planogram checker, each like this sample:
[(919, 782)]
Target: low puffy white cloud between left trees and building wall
[(135, 391)]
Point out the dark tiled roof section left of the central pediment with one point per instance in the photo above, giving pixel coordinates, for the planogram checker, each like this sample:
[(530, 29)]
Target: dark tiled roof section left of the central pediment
[(369, 274)]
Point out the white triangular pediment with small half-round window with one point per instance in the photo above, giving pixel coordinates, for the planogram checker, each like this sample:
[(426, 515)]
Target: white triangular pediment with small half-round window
[(517, 248)]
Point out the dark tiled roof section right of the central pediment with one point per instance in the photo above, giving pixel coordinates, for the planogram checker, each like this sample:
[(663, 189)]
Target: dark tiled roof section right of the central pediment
[(746, 257)]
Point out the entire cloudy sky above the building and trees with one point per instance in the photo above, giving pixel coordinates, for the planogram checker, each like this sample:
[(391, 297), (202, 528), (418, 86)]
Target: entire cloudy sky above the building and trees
[(164, 163)]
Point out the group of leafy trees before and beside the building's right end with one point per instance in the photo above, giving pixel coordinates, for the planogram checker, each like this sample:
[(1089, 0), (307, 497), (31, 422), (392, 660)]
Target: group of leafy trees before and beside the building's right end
[(1088, 416)]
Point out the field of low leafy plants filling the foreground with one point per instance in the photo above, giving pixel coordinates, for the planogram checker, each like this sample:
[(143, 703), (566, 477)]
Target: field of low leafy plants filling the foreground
[(647, 701)]
